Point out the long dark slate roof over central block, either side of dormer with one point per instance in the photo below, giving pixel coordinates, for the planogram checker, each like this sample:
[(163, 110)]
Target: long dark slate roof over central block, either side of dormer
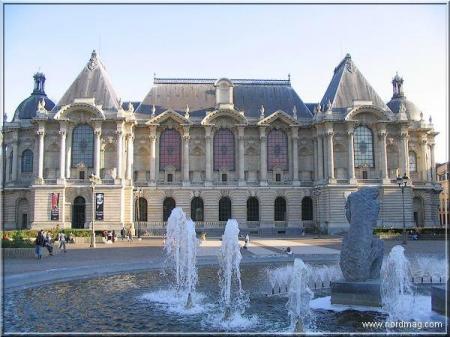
[(200, 95)]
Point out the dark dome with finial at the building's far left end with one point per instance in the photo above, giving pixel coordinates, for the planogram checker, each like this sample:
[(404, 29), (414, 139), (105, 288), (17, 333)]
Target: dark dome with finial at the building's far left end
[(27, 109)]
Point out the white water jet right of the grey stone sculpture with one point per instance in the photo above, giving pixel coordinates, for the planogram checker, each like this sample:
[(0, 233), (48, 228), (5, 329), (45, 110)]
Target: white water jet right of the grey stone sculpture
[(396, 291)]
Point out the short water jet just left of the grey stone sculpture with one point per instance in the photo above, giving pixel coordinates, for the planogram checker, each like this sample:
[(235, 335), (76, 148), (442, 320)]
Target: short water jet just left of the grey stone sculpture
[(299, 296)]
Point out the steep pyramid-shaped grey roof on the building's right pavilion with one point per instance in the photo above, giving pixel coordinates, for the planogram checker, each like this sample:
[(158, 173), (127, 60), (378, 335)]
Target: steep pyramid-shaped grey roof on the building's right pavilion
[(349, 85)]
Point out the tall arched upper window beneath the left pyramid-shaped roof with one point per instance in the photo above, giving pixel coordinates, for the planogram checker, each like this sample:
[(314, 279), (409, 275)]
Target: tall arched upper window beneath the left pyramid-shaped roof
[(83, 146)]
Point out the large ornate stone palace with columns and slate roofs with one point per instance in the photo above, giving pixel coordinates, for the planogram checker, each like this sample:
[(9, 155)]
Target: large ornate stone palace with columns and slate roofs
[(247, 149)]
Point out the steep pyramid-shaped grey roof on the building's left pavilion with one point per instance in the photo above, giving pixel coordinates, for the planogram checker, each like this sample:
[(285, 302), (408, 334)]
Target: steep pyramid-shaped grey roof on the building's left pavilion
[(92, 82)]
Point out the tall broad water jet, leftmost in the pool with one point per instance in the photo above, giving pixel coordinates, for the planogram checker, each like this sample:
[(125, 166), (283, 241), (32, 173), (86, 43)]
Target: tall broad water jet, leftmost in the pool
[(181, 250)]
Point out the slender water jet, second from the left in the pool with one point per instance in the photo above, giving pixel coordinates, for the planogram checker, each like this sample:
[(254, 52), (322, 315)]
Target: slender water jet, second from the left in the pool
[(229, 273)]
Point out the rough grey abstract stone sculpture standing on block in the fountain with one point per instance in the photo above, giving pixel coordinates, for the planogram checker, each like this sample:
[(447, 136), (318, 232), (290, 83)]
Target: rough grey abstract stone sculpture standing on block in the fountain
[(361, 253)]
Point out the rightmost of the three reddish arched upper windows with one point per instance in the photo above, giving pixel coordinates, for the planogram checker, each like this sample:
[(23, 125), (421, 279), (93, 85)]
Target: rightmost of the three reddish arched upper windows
[(277, 150)]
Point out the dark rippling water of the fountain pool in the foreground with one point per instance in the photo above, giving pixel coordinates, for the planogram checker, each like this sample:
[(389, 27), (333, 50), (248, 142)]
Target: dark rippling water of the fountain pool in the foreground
[(142, 302)]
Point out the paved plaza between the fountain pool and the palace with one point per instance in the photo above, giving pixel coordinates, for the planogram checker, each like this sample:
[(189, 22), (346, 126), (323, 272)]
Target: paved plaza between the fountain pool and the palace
[(82, 261)]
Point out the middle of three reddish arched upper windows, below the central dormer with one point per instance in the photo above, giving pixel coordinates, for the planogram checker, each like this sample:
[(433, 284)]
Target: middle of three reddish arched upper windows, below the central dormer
[(224, 150)]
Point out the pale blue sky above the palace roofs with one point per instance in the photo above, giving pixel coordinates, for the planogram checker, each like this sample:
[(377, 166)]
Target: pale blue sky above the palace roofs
[(236, 41)]
